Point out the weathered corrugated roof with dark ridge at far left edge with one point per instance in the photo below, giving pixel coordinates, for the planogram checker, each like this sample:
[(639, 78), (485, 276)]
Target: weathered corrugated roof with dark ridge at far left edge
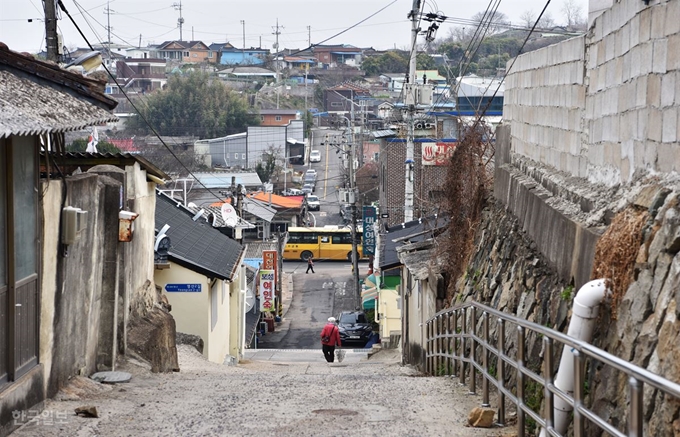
[(38, 97)]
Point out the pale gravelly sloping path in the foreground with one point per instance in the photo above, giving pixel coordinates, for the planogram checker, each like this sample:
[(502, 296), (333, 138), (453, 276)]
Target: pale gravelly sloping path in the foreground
[(375, 397)]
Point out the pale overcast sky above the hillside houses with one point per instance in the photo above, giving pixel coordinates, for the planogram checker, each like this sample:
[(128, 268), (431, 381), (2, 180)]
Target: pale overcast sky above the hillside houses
[(222, 20)]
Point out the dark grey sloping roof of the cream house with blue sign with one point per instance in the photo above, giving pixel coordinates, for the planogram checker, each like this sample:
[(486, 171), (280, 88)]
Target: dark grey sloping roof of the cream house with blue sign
[(195, 244)]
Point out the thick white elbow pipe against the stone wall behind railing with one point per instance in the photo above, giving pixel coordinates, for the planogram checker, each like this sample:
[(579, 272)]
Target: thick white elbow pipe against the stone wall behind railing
[(581, 326)]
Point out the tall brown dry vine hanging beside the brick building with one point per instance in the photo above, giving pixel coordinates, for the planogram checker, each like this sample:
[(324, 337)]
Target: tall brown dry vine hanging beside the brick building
[(468, 181)]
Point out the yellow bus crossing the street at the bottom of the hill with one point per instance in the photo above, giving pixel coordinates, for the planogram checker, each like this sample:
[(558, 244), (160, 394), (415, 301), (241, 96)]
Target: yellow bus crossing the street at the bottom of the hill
[(331, 242)]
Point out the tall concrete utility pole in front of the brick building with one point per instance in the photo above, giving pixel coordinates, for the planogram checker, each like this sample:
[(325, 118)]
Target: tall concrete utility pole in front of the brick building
[(411, 102)]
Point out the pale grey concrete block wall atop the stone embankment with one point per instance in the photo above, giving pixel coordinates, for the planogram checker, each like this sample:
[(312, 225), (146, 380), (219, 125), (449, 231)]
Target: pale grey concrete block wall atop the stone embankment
[(606, 105)]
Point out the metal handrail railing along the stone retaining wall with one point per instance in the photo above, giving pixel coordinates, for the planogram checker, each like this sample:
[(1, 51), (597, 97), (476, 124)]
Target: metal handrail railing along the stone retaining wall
[(452, 332)]
